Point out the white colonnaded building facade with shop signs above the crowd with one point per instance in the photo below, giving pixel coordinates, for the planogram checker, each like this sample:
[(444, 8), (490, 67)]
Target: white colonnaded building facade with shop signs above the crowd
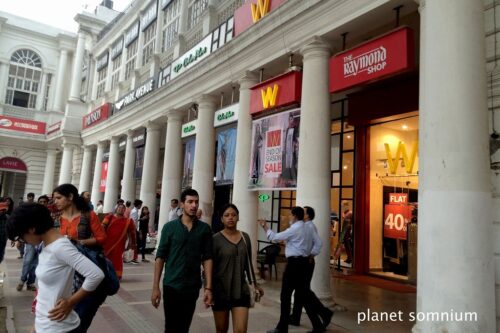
[(378, 114)]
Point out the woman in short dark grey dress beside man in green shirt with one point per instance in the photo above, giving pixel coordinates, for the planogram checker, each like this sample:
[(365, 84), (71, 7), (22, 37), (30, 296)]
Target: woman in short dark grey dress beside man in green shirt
[(231, 250)]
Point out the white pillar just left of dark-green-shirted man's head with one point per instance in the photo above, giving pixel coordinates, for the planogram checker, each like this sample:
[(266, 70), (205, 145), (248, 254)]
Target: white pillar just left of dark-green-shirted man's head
[(172, 167)]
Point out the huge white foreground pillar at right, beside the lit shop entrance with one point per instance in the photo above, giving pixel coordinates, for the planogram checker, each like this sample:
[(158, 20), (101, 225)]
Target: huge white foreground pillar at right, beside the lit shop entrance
[(455, 245)]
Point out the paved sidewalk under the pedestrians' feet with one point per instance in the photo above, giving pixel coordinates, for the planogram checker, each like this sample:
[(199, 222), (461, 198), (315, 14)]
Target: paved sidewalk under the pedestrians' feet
[(131, 311)]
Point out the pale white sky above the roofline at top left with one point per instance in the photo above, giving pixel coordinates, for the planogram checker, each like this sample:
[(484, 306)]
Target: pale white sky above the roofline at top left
[(57, 13)]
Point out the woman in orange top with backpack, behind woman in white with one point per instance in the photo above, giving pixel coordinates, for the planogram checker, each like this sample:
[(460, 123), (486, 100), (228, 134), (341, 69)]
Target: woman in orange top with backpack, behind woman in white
[(81, 226)]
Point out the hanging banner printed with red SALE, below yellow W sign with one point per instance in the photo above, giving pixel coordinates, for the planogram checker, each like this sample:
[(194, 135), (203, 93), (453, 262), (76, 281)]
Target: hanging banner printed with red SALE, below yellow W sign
[(275, 151)]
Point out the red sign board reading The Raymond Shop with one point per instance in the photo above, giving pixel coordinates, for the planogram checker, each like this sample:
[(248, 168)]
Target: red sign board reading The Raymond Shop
[(383, 56)]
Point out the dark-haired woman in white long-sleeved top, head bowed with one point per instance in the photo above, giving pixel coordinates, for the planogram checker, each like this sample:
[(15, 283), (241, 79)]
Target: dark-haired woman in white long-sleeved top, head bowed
[(31, 223)]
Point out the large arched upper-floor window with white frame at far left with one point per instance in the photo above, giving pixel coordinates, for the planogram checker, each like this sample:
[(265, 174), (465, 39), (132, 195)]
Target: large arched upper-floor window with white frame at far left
[(23, 84)]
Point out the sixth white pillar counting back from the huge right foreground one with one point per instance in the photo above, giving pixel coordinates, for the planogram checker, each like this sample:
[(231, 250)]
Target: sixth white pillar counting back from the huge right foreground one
[(149, 179)]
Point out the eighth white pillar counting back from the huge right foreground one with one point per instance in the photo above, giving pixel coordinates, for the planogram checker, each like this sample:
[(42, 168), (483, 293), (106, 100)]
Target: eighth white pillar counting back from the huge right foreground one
[(113, 179)]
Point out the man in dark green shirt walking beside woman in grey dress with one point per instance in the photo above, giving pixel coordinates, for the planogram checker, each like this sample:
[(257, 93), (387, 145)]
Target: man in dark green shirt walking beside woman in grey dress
[(185, 245)]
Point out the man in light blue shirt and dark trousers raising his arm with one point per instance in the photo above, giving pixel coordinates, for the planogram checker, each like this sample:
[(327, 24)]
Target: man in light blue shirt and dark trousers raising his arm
[(299, 247)]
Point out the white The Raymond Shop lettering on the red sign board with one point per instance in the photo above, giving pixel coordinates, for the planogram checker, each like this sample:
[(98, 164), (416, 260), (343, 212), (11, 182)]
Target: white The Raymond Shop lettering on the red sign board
[(372, 61)]
